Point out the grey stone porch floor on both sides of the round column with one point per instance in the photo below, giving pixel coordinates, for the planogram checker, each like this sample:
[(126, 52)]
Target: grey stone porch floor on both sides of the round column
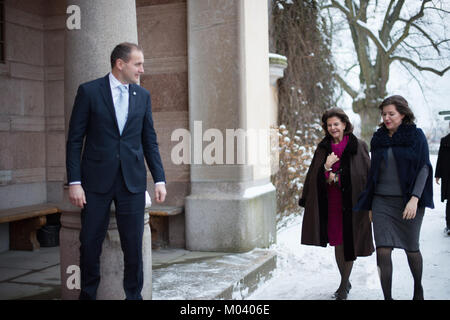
[(177, 274)]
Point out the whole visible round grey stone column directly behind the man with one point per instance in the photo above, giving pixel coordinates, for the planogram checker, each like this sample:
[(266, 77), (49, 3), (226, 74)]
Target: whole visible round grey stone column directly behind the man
[(104, 24)]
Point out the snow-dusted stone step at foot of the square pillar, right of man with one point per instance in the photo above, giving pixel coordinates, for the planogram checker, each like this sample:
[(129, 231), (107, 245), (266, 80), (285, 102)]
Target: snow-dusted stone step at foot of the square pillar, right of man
[(203, 276)]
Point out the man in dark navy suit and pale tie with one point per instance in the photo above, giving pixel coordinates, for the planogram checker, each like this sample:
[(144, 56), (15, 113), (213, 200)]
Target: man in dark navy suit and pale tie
[(112, 116)]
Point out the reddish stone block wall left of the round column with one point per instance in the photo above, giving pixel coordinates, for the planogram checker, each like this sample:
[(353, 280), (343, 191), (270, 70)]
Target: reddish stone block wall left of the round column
[(31, 105)]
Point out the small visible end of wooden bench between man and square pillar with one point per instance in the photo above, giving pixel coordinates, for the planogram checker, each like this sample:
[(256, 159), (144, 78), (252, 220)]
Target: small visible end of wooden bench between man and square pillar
[(159, 223)]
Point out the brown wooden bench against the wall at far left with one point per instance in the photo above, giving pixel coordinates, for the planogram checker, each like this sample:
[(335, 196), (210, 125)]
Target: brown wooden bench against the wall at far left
[(24, 222)]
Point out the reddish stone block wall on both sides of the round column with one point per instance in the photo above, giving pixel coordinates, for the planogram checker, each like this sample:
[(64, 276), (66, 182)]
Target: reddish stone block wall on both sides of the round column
[(32, 141)]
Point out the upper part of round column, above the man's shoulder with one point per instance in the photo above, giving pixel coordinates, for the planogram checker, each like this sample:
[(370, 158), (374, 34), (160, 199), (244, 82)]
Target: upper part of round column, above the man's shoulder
[(104, 24)]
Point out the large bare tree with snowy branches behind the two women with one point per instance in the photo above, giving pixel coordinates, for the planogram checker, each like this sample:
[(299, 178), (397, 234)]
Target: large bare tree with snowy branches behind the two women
[(406, 35)]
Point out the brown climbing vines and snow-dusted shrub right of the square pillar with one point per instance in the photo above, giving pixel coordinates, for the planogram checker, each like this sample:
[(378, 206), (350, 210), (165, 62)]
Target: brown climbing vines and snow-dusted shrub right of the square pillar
[(305, 92)]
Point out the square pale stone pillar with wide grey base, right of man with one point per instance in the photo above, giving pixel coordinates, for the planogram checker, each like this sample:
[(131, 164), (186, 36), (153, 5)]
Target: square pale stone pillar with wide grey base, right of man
[(232, 205)]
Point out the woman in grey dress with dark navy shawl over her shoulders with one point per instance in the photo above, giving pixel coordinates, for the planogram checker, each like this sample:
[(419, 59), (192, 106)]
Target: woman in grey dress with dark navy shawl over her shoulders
[(399, 187)]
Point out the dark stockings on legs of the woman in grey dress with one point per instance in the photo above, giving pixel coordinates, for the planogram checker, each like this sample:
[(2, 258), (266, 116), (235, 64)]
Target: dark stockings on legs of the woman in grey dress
[(384, 262)]
